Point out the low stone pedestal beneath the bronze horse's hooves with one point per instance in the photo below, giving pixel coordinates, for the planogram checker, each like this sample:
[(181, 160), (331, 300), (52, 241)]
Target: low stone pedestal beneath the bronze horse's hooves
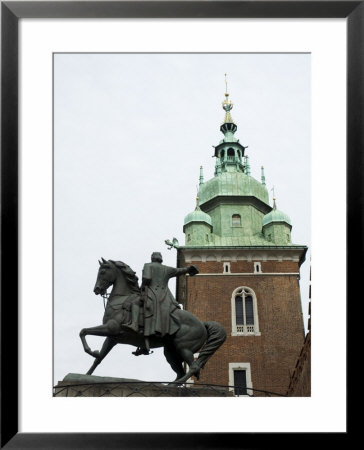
[(77, 385)]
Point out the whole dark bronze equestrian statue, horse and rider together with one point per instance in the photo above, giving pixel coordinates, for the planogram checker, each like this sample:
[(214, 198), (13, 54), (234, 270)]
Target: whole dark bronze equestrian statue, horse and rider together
[(149, 317)]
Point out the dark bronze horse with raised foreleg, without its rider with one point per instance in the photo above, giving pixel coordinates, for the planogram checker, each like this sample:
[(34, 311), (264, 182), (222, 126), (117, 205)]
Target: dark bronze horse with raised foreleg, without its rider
[(191, 337)]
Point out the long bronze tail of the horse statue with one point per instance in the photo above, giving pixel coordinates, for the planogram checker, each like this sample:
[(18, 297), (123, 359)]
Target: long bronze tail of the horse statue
[(216, 336)]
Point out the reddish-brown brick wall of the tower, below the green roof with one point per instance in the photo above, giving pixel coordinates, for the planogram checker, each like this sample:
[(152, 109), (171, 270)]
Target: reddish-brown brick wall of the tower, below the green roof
[(273, 353)]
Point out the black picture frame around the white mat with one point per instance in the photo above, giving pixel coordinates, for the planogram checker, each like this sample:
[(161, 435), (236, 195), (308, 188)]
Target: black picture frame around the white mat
[(11, 12)]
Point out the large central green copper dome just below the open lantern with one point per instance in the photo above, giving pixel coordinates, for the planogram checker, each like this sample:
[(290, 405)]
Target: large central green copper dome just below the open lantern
[(232, 183)]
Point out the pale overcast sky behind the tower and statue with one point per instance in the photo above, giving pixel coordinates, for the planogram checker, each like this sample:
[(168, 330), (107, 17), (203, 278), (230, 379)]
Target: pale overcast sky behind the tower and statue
[(130, 134)]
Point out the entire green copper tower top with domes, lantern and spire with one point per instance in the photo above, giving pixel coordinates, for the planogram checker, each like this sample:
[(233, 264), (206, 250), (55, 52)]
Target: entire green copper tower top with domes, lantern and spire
[(235, 206)]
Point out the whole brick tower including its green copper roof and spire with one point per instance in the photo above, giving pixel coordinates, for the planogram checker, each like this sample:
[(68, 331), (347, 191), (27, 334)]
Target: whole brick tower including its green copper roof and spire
[(249, 273)]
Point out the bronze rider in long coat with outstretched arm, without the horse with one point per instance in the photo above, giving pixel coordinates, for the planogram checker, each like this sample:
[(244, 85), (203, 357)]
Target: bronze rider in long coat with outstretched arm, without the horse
[(159, 303)]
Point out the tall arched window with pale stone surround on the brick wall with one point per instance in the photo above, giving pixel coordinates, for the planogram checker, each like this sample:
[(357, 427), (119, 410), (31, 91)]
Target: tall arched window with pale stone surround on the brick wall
[(244, 312)]
